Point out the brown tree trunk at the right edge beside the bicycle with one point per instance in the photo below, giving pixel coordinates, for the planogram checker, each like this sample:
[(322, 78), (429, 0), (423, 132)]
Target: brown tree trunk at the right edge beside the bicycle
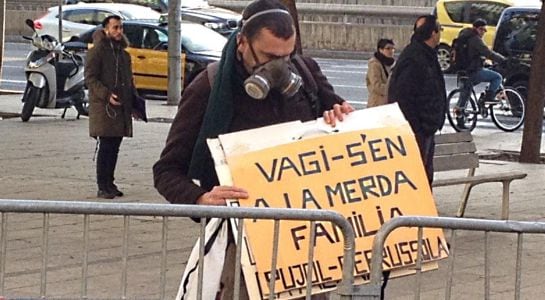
[(533, 127)]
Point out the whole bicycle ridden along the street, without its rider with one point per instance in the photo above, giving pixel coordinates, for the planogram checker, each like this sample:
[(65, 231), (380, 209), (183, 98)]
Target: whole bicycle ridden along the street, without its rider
[(507, 111)]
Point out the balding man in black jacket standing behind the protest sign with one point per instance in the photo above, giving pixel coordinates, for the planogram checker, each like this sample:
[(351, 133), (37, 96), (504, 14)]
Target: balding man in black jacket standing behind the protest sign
[(418, 86)]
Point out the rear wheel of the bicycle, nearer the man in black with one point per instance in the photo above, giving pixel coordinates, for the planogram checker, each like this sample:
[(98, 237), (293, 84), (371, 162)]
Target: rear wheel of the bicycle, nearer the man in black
[(462, 119)]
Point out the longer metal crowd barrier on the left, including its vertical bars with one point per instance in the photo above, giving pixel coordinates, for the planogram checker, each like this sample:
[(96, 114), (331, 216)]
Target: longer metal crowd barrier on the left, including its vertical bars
[(128, 210)]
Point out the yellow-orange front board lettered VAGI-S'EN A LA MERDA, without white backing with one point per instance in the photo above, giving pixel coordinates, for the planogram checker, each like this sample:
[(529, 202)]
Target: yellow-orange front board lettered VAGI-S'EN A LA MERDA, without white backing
[(369, 176)]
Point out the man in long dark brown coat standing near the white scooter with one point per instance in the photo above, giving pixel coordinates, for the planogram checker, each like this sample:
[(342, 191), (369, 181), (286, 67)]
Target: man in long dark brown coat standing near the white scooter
[(108, 75)]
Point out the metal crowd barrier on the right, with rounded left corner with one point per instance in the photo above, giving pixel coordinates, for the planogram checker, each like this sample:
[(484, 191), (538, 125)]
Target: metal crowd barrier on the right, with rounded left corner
[(372, 290)]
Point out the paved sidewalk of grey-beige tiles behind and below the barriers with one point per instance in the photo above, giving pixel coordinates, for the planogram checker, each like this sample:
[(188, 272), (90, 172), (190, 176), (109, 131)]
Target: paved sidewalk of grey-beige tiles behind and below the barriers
[(50, 158)]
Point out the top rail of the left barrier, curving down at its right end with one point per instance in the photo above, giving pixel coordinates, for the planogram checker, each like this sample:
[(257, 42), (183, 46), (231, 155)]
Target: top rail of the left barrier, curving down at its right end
[(344, 289)]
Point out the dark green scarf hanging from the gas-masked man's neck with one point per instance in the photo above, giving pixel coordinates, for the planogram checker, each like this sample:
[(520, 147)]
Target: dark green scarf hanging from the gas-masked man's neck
[(218, 116)]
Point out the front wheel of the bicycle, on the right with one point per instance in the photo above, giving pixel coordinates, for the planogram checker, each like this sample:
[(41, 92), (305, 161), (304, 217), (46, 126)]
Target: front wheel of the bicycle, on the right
[(509, 113)]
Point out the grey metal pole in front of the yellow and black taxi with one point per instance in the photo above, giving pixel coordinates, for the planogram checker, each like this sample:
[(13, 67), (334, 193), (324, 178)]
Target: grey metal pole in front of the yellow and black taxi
[(174, 52)]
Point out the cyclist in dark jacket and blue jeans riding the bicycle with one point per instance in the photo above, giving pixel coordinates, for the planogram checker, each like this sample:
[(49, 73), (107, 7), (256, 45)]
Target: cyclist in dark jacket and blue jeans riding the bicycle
[(477, 52)]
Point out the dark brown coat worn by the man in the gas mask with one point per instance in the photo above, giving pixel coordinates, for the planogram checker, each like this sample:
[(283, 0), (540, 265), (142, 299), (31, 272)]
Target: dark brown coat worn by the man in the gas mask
[(171, 171)]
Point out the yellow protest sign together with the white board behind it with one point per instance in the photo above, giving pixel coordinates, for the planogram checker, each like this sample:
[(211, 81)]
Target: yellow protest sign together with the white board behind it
[(368, 168)]
